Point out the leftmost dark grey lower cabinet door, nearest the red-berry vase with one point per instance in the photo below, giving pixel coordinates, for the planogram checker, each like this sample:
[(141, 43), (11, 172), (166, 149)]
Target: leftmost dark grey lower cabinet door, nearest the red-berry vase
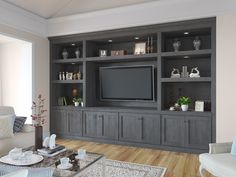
[(60, 121)]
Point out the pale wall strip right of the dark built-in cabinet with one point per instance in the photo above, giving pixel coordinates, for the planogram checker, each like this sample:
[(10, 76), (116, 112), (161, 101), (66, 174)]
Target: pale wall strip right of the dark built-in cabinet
[(226, 78)]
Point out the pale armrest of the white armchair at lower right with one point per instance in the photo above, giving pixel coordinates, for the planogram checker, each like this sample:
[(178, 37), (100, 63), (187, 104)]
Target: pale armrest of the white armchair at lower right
[(216, 148)]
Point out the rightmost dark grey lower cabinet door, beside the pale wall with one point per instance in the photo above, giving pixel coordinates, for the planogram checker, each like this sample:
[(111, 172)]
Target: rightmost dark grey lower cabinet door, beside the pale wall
[(198, 131)]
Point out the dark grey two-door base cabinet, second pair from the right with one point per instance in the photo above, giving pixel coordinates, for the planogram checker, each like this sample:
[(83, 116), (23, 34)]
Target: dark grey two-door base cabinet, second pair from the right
[(141, 128)]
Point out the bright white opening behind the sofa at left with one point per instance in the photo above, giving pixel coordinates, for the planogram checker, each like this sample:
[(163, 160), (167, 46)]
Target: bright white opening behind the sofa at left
[(16, 76)]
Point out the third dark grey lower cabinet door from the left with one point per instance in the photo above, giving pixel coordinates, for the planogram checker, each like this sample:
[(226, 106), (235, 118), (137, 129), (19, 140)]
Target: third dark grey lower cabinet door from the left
[(92, 124)]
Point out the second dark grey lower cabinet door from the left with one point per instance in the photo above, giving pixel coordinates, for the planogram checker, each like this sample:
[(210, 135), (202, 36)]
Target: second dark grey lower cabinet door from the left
[(75, 122)]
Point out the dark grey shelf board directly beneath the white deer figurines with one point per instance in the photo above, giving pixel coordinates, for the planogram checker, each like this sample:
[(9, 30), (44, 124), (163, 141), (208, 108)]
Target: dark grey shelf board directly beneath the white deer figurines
[(188, 79)]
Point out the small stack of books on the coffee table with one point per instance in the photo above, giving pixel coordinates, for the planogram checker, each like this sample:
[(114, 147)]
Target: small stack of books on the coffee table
[(51, 152)]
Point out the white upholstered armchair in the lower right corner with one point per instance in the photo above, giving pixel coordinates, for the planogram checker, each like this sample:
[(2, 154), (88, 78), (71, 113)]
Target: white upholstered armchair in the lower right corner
[(219, 162)]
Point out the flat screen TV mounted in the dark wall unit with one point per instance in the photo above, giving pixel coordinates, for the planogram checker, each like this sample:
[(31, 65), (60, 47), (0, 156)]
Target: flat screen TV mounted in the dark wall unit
[(124, 83)]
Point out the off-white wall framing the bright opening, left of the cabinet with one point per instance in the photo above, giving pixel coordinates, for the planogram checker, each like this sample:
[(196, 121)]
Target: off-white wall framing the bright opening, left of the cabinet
[(40, 65)]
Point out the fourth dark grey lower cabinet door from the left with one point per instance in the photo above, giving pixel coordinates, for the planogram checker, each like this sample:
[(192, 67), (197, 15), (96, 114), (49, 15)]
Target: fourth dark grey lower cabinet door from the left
[(110, 125)]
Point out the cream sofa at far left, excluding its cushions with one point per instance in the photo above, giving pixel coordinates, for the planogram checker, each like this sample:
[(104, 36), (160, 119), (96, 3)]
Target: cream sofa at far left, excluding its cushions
[(22, 139)]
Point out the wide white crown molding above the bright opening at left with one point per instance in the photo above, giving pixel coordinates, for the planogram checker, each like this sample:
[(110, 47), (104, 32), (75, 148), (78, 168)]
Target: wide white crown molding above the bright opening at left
[(23, 20)]
